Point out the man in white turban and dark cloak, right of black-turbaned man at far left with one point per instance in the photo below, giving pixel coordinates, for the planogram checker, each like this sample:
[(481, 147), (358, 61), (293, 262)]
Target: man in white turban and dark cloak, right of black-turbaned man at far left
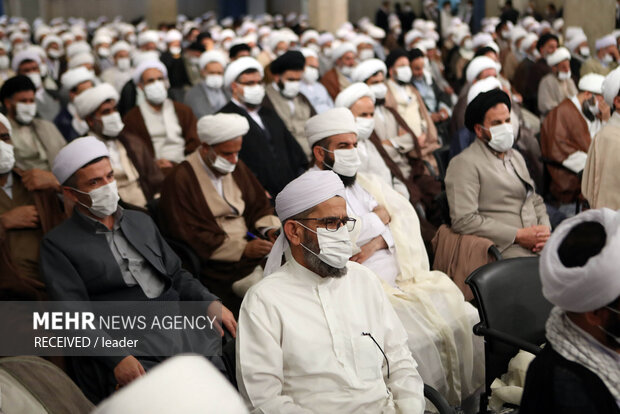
[(68, 122)]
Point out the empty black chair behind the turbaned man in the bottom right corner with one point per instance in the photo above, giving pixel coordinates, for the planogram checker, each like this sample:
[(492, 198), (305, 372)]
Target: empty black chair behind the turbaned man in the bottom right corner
[(513, 313)]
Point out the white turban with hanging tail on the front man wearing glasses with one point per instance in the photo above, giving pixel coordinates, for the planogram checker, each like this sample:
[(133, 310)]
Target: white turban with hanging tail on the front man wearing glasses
[(301, 194)]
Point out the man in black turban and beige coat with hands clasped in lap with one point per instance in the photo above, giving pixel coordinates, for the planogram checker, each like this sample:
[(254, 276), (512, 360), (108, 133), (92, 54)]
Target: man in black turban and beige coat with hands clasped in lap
[(489, 189)]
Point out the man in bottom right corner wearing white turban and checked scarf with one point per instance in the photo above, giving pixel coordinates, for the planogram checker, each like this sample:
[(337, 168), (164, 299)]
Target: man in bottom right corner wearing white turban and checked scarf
[(578, 370)]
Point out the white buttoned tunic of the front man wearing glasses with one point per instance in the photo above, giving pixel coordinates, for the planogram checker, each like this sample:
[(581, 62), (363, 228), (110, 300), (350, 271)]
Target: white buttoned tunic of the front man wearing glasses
[(300, 347)]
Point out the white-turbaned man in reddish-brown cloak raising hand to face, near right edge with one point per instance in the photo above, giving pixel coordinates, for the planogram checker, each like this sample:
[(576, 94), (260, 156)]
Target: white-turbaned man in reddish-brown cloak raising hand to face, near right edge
[(566, 135)]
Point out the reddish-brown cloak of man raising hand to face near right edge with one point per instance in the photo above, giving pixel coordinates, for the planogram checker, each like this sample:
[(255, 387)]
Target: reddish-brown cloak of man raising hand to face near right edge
[(563, 132)]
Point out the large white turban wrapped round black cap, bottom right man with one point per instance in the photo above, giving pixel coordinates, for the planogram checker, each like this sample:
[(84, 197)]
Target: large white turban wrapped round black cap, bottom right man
[(592, 286)]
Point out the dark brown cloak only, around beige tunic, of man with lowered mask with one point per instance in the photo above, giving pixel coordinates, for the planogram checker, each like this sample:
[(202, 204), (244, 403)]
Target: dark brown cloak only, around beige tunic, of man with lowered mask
[(186, 216)]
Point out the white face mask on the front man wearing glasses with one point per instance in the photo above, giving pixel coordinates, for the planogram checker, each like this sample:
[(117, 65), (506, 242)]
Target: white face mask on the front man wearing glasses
[(335, 247)]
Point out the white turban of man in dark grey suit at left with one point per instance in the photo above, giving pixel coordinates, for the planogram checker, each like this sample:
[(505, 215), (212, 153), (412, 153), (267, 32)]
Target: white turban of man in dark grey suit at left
[(77, 154)]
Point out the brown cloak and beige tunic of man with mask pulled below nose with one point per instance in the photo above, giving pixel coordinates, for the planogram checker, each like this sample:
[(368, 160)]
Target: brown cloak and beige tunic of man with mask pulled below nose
[(215, 225)]
